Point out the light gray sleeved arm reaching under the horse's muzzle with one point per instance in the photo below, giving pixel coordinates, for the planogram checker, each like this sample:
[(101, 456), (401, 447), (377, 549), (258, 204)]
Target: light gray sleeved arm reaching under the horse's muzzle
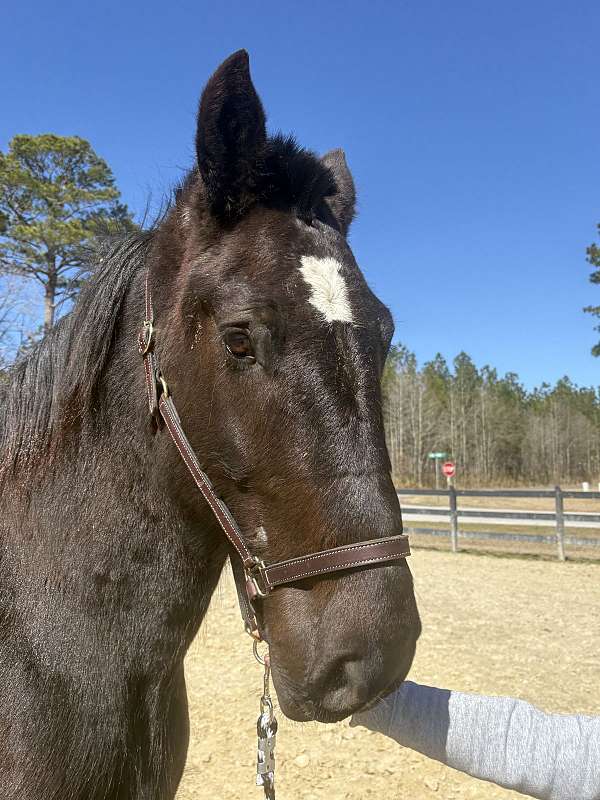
[(498, 739)]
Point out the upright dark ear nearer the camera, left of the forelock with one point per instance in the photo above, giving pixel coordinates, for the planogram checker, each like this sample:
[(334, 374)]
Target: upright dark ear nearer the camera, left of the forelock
[(231, 136)]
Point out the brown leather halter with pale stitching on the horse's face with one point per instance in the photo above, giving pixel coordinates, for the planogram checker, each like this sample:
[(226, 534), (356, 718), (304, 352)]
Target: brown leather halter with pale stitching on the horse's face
[(254, 578)]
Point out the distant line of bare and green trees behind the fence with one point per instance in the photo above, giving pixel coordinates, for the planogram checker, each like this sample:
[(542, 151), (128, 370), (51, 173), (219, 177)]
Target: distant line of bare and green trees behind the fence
[(495, 430)]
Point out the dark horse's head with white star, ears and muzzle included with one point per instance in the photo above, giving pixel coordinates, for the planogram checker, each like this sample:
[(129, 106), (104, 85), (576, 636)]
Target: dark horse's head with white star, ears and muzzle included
[(274, 347)]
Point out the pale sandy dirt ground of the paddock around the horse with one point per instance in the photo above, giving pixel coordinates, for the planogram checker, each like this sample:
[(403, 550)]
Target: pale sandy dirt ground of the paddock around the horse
[(490, 625)]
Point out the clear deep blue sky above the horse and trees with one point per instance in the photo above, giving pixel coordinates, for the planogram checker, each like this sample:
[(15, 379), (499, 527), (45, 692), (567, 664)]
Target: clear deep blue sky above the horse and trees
[(472, 130)]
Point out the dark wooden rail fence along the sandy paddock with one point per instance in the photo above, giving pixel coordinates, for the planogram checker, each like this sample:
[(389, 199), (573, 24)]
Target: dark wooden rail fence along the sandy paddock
[(556, 518)]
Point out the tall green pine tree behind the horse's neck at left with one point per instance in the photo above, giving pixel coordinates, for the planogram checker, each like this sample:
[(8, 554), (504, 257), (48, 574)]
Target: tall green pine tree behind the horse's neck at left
[(56, 195)]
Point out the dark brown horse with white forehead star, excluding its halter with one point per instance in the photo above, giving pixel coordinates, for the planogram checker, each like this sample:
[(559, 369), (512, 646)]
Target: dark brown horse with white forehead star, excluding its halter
[(274, 347)]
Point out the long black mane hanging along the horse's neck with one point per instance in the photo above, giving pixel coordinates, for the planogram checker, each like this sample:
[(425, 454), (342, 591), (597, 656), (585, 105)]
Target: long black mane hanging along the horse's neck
[(61, 373)]
